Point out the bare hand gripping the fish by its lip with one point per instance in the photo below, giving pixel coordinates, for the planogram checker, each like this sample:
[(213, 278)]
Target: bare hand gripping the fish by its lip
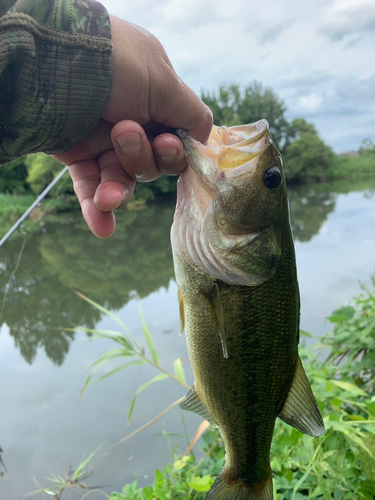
[(147, 98)]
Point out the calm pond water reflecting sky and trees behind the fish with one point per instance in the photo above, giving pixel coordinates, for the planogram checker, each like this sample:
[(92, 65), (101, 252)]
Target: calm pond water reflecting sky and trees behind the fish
[(43, 428)]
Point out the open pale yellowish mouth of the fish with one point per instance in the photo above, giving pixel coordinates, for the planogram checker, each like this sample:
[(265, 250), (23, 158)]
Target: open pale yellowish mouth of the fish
[(228, 148)]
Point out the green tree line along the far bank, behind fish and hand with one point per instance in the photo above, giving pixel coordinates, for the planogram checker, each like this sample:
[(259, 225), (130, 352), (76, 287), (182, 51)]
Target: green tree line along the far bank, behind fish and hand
[(305, 154)]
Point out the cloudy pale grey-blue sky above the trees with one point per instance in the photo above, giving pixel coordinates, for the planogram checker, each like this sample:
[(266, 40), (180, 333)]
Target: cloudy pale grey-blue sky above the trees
[(318, 56)]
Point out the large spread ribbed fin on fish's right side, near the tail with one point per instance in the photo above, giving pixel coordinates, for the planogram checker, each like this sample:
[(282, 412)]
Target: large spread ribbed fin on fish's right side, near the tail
[(300, 409)]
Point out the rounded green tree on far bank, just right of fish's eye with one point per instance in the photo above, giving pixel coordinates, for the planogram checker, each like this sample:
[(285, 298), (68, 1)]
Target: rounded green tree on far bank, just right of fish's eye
[(305, 154)]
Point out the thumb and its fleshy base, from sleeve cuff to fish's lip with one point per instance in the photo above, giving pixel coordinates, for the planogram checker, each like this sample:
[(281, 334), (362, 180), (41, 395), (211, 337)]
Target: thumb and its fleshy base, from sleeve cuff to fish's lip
[(145, 87)]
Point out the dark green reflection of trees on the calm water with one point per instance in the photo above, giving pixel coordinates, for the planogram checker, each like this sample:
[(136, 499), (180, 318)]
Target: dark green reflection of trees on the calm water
[(136, 259)]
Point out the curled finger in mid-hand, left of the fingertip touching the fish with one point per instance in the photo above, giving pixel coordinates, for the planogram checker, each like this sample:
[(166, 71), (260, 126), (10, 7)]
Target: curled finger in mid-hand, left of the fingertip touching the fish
[(134, 151)]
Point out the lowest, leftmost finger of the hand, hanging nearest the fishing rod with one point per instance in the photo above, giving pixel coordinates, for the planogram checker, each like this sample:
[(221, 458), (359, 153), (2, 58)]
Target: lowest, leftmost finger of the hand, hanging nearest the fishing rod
[(86, 179)]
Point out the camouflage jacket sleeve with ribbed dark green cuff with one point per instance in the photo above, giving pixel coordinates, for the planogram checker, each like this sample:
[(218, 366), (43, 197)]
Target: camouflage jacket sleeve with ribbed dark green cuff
[(55, 73)]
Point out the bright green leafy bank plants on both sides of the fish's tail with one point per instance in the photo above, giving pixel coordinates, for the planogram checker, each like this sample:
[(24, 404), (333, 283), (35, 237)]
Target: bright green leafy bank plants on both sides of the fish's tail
[(339, 465)]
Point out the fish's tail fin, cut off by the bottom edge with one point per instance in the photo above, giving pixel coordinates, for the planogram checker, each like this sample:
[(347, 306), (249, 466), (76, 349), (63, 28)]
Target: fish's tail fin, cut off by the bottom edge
[(222, 489)]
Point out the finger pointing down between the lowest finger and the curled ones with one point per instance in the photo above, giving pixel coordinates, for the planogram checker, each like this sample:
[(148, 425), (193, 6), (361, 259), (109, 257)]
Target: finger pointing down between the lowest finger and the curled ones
[(116, 186)]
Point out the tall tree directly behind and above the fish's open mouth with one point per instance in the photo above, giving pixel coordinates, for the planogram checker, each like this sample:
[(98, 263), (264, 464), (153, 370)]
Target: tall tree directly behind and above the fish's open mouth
[(235, 106)]
